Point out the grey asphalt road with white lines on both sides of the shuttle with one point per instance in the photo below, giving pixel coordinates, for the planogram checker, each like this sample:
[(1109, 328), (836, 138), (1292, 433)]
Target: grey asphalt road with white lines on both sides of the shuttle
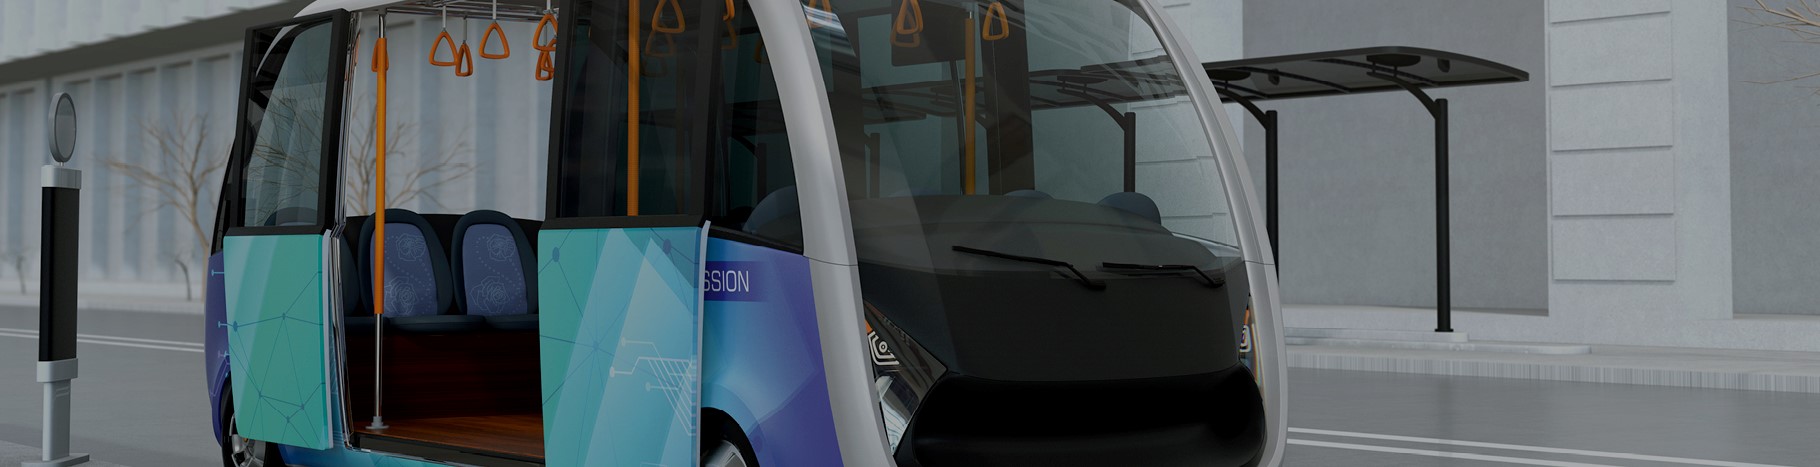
[(141, 402)]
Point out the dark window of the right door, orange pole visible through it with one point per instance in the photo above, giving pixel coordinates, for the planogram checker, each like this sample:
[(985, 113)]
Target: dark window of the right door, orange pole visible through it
[(600, 141)]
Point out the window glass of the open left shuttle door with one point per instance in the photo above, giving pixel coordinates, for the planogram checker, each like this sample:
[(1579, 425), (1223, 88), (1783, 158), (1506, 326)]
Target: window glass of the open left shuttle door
[(285, 114)]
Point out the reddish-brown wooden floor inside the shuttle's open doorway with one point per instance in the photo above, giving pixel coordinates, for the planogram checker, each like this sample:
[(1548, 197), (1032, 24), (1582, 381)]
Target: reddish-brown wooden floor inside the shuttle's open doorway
[(514, 435)]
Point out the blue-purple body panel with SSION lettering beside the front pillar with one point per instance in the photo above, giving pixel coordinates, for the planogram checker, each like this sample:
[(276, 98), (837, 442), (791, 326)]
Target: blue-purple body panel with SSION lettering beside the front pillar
[(762, 353)]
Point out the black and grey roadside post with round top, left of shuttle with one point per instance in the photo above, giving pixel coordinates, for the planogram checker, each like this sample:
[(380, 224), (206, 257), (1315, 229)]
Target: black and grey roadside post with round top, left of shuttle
[(57, 288)]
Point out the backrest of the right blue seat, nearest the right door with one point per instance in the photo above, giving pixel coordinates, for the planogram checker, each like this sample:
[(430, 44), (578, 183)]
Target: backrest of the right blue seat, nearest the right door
[(494, 263)]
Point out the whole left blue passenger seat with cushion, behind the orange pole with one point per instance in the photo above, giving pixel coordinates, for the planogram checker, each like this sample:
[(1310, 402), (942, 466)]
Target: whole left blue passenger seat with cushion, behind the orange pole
[(420, 292)]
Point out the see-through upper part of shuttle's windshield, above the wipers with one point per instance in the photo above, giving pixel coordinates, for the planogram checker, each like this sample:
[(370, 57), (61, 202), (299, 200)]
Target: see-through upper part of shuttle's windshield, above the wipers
[(1035, 128)]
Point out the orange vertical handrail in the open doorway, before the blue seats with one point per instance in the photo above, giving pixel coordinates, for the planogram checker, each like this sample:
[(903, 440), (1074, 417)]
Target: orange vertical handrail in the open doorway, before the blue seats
[(381, 65)]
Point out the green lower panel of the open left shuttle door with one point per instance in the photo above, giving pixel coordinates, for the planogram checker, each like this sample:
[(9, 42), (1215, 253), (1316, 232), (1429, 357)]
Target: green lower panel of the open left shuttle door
[(276, 339)]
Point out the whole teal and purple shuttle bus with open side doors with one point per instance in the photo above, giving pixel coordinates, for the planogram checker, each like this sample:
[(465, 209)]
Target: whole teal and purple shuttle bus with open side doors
[(785, 233)]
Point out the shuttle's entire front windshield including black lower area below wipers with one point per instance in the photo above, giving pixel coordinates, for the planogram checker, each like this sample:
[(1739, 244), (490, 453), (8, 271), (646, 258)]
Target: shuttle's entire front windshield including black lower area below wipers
[(1018, 161)]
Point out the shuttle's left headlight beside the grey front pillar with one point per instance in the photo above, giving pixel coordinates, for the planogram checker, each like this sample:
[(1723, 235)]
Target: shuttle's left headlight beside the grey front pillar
[(902, 372)]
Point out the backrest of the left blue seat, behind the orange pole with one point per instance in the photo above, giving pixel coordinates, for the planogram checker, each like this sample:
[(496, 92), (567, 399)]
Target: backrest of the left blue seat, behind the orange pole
[(418, 272)]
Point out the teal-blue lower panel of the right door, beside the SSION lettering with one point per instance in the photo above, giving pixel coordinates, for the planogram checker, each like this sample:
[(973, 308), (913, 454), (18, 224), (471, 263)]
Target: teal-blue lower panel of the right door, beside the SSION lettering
[(620, 346)]
